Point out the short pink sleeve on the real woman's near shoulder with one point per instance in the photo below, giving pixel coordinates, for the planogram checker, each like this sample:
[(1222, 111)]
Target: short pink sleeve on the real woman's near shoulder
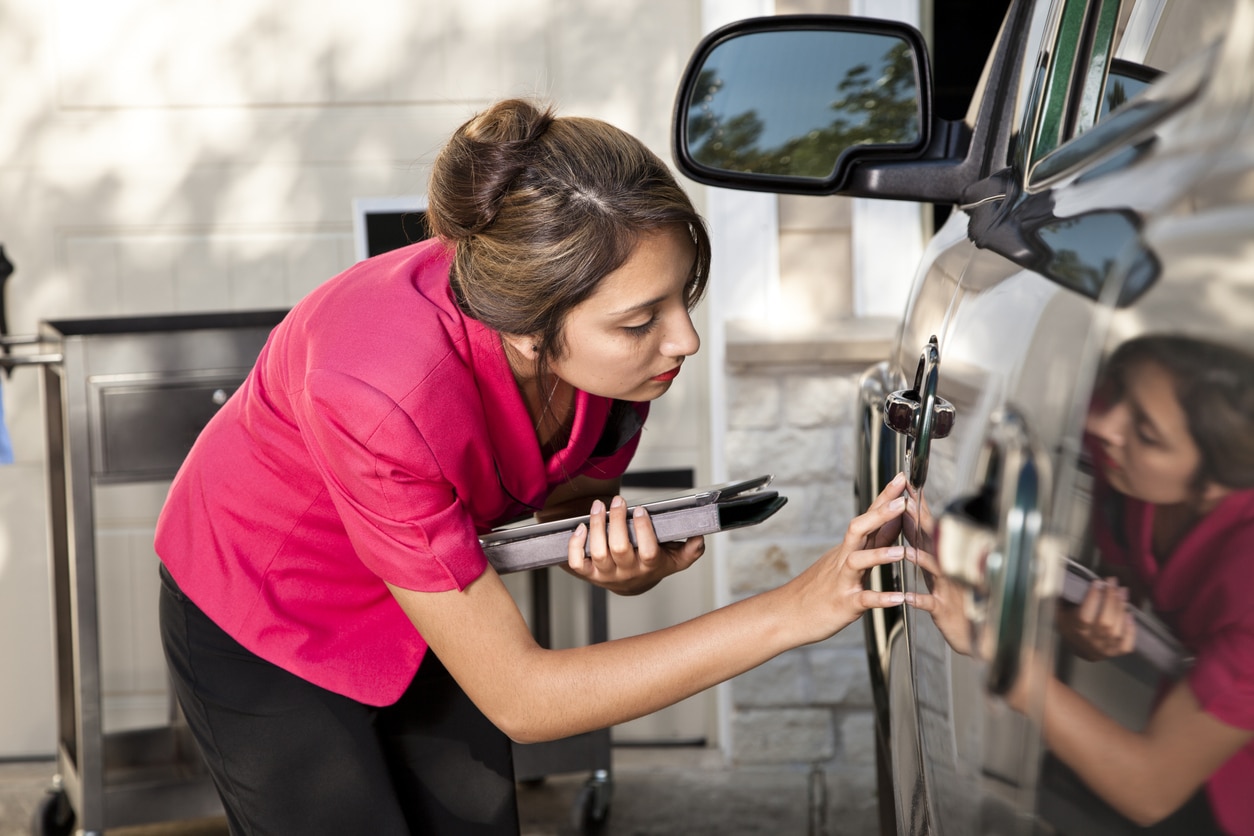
[(401, 512)]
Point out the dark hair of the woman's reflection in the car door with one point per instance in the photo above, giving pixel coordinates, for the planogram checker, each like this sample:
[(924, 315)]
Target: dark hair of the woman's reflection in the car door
[(1214, 385)]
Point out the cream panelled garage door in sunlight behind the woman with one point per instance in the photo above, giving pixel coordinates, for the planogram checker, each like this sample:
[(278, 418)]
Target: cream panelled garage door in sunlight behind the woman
[(165, 156)]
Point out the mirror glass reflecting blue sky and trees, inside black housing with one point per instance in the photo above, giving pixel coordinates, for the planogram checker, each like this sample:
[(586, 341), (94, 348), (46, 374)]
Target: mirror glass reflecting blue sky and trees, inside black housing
[(791, 103)]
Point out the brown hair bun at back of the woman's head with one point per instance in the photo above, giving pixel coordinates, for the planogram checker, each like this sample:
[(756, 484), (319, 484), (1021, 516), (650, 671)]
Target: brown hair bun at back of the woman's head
[(480, 165)]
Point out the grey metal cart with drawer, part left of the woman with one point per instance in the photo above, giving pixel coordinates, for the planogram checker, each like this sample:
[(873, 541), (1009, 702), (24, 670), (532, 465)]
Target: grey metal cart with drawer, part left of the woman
[(124, 399)]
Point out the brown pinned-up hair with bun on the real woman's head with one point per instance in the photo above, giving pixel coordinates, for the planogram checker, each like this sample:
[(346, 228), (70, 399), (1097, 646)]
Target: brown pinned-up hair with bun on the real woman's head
[(541, 209)]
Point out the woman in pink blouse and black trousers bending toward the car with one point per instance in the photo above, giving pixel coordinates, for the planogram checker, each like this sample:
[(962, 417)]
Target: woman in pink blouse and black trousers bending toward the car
[(347, 659)]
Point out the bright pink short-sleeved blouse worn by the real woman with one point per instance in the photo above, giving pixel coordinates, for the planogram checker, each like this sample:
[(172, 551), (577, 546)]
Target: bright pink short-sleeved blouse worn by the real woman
[(379, 433)]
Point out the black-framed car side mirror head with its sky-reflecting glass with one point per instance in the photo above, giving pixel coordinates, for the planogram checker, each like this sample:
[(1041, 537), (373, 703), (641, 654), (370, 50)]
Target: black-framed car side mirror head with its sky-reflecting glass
[(792, 103)]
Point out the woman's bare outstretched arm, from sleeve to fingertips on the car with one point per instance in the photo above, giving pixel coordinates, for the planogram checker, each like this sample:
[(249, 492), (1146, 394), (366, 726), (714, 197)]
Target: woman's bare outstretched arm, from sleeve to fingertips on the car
[(534, 694)]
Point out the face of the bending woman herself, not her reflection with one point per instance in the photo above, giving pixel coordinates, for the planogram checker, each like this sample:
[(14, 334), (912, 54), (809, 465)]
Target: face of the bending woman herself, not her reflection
[(630, 338)]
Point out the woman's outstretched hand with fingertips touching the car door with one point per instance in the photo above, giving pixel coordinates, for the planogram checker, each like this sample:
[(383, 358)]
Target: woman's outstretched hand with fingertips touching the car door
[(831, 591)]
